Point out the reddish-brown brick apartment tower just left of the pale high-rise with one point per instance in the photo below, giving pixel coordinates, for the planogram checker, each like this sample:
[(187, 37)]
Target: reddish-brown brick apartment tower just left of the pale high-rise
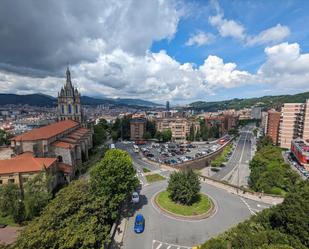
[(272, 125)]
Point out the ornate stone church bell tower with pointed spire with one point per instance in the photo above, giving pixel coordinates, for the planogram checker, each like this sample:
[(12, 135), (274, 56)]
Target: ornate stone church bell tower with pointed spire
[(69, 106)]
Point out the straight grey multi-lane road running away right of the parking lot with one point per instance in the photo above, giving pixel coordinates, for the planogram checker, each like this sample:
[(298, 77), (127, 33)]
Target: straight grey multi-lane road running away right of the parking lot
[(237, 169)]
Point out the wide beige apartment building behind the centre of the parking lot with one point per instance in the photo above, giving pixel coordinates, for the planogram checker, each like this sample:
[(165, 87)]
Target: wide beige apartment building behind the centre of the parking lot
[(180, 127)]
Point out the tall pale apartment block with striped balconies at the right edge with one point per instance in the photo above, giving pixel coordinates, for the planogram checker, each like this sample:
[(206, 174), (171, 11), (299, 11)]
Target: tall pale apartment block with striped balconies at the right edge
[(294, 123)]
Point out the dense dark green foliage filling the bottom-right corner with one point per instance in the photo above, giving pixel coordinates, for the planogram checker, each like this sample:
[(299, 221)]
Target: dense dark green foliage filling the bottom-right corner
[(281, 227)]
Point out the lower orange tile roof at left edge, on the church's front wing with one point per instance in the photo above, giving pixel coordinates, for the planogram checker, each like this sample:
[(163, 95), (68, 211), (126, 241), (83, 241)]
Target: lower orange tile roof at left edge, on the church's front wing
[(25, 163)]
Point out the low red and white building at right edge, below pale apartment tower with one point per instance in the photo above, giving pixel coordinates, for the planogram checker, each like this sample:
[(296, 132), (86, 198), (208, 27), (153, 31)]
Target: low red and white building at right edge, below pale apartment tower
[(300, 149)]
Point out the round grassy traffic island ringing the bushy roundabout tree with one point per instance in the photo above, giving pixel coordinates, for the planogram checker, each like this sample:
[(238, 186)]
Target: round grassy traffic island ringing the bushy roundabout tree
[(201, 209)]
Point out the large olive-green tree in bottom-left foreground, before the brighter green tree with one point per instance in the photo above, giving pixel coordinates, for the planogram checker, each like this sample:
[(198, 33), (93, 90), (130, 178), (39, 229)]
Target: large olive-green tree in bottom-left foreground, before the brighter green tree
[(75, 219)]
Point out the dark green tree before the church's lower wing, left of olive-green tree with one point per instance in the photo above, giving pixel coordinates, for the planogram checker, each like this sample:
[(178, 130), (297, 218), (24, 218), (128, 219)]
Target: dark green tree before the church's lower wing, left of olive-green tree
[(36, 195)]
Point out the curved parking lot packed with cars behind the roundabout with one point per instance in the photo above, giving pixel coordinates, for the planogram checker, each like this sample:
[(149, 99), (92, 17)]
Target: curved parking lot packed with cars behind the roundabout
[(175, 153)]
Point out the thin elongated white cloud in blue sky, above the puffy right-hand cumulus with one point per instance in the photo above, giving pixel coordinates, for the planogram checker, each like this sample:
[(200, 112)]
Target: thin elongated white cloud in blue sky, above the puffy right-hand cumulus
[(271, 35)]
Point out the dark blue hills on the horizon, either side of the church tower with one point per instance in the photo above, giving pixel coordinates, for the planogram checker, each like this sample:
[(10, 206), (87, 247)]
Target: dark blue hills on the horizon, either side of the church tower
[(45, 100)]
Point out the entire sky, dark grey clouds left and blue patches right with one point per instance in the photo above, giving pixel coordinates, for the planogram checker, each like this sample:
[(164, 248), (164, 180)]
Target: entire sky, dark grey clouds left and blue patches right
[(158, 50)]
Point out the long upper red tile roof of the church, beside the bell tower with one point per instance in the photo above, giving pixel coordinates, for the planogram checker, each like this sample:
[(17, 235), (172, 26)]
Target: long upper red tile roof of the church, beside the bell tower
[(47, 131)]
